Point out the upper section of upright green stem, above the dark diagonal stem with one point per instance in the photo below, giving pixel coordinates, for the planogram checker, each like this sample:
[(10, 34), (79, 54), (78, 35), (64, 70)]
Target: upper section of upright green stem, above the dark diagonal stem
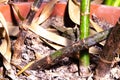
[(84, 22)]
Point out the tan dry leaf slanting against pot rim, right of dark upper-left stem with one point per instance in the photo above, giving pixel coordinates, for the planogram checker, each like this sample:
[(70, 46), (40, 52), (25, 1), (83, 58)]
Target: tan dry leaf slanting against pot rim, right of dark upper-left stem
[(46, 12)]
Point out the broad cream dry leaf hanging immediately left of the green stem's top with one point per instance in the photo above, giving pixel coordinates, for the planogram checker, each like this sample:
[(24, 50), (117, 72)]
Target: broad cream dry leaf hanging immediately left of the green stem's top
[(74, 12)]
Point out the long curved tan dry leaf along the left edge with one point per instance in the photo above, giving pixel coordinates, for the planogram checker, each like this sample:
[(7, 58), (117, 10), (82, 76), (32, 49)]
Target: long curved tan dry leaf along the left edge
[(5, 46)]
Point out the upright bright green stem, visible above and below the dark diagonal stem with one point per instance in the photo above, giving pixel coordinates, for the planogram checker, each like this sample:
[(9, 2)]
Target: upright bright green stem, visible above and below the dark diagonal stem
[(84, 29)]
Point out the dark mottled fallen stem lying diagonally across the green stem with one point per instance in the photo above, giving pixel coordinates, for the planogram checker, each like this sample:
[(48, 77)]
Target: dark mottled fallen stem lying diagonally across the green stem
[(53, 58)]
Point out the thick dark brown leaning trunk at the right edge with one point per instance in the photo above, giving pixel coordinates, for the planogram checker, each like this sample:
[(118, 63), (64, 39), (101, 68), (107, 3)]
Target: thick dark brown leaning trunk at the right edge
[(110, 51)]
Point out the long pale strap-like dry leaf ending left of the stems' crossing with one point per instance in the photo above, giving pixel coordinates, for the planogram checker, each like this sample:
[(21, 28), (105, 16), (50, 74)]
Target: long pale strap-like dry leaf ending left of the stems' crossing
[(49, 35)]
